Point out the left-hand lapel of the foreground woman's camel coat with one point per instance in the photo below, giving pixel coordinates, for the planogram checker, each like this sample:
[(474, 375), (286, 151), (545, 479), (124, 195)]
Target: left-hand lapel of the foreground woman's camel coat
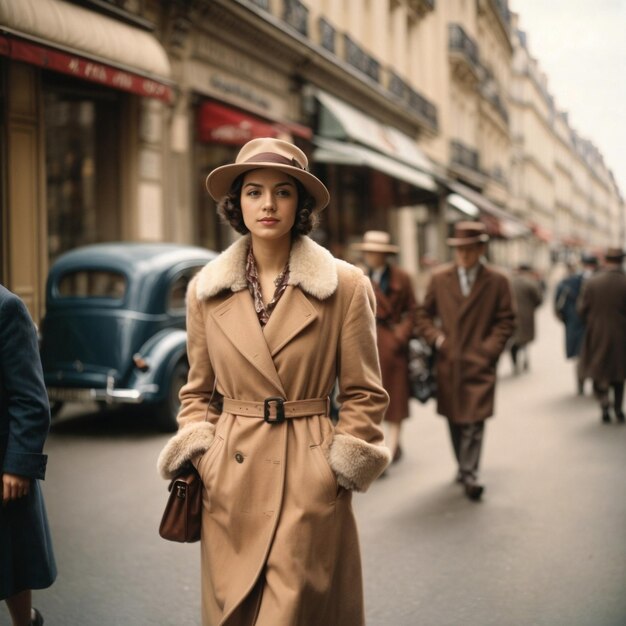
[(238, 321)]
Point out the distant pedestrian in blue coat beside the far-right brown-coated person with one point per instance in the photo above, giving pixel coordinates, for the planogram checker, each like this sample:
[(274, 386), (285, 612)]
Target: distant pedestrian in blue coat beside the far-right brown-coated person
[(565, 301)]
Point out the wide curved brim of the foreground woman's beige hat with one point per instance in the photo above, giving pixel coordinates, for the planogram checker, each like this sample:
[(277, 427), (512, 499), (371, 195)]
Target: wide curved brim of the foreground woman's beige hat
[(220, 180)]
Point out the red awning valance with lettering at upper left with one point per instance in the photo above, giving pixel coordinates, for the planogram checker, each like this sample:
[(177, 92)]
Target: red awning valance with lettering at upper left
[(82, 67)]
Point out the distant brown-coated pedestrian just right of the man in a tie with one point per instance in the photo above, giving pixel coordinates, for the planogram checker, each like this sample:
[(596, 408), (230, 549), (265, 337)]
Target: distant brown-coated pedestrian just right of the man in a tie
[(528, 296)]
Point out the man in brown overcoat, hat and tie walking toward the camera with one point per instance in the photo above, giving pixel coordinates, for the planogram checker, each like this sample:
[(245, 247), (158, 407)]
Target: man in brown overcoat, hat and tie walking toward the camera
[(468, 316)]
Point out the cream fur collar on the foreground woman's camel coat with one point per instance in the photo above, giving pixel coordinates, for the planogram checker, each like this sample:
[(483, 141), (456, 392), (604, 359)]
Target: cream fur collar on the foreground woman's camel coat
[(311, 267)]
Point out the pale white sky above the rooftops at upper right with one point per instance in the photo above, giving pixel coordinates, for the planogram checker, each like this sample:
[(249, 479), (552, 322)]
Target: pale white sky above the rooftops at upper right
[(581, 47)]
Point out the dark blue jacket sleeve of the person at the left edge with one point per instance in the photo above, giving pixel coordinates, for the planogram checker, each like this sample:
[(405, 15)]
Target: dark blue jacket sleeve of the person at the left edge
[(26, 398)]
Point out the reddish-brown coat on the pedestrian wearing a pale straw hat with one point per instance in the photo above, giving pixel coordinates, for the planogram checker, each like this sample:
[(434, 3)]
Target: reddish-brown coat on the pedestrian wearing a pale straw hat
[(395, 325)]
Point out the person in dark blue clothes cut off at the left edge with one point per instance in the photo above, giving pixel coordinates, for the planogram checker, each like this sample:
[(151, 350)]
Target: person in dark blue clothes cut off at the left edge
[(26, 555)]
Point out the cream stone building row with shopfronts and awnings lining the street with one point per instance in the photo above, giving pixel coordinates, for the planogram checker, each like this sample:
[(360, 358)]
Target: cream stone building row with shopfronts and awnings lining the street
[(416, 114)]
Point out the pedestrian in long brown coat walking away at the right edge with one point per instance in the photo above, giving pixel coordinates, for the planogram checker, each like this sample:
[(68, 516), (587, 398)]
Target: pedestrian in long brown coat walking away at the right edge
[(602, 306)]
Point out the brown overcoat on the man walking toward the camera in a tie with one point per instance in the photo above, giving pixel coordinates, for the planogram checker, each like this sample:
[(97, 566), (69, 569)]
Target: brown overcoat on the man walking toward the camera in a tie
[(476, 329)]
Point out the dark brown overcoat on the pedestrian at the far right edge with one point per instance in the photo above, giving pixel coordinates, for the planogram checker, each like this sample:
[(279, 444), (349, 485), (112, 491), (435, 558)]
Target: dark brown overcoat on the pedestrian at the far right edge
[(602, 306)]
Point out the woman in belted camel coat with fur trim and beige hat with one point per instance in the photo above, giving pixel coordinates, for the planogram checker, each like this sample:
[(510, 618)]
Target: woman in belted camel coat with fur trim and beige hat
[(272, 323)]
